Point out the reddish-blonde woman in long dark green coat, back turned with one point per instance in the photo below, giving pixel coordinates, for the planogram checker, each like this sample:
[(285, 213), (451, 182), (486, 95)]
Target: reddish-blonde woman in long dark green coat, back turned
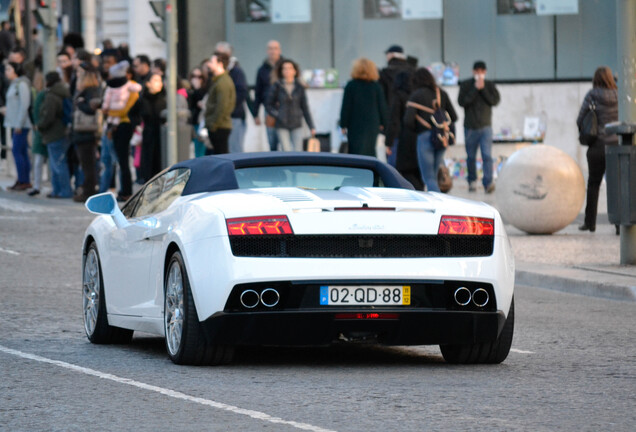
[(364, 113)]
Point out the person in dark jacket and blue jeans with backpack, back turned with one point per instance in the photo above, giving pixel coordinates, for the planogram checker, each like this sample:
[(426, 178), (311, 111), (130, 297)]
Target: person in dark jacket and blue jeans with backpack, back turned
[(54, 134)]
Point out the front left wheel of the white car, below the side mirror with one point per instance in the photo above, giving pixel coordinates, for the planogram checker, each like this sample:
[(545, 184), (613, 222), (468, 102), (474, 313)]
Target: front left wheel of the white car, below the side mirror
[(96, 324)]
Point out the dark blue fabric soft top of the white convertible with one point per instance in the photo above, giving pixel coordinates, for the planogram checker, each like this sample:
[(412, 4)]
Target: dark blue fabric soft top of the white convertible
[(216, 173)]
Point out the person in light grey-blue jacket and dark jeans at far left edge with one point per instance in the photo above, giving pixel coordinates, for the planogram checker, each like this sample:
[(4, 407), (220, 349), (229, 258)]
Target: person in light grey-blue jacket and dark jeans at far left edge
[(16, 117)]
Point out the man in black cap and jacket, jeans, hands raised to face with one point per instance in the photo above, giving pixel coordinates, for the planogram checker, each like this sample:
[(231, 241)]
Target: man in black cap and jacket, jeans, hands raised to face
[(478, 95)]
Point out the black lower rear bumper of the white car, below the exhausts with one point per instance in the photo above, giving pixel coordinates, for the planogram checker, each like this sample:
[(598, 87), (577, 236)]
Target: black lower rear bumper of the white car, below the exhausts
[(319, 328)]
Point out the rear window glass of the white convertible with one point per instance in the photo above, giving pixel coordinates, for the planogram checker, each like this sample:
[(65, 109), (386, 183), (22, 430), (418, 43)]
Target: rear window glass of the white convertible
[(306, 176)]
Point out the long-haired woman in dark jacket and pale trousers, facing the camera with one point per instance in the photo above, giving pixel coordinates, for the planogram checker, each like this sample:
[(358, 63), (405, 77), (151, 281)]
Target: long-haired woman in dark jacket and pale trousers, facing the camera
[(287, 103)]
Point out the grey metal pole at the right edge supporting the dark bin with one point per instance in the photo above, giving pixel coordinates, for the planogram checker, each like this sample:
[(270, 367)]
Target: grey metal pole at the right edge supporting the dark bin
[(626, 37)]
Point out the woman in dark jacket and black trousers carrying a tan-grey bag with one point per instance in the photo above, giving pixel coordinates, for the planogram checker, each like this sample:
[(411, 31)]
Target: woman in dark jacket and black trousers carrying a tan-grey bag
[(85, 128)]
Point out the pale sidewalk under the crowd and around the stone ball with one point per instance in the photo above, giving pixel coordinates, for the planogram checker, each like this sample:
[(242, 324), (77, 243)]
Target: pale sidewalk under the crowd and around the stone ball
[(568, 260)]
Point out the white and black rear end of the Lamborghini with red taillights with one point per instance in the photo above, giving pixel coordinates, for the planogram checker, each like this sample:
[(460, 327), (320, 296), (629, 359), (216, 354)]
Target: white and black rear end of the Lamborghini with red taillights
[(398, 267)]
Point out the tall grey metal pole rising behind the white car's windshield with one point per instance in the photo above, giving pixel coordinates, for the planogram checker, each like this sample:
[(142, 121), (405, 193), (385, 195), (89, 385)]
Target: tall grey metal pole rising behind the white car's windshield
[(171, 76)]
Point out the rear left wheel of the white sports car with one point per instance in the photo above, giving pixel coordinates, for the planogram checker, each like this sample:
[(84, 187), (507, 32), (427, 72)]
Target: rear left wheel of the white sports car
[(185, 338)]
